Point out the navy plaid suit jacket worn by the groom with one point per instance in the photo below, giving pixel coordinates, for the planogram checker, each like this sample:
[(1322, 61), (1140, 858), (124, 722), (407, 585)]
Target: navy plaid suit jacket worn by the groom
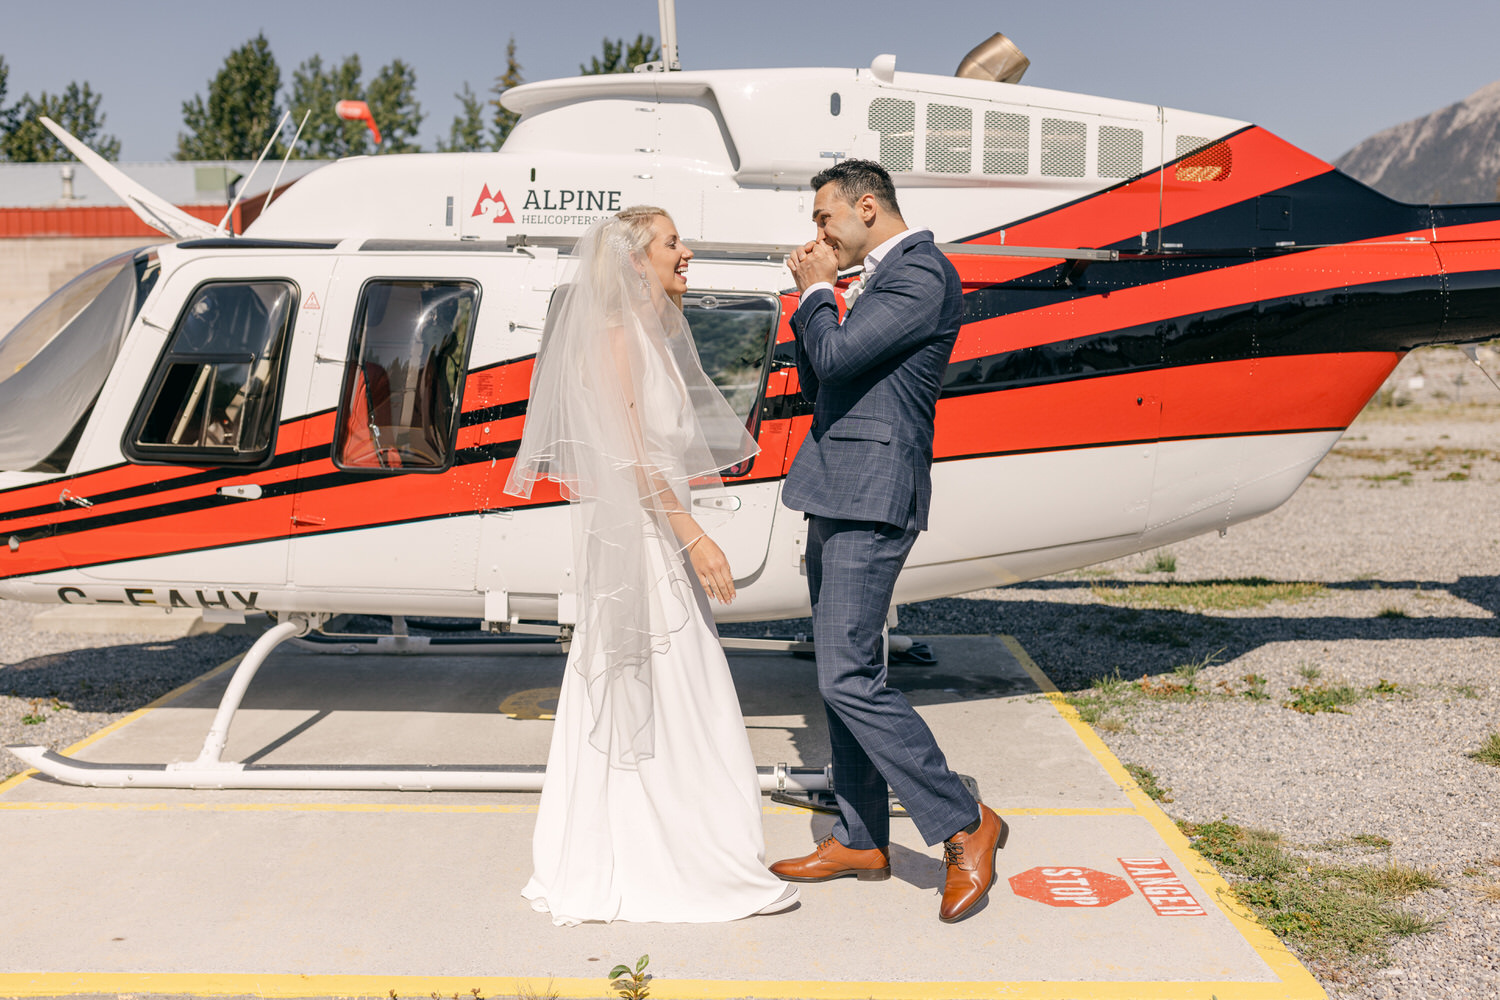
[(874, 383)]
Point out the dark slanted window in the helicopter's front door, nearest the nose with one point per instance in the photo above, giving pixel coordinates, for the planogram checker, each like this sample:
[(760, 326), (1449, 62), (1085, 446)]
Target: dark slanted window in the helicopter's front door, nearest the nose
[(214, 395)]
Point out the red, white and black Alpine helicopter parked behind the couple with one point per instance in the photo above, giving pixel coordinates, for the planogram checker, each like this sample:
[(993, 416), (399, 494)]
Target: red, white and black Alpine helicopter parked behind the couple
[(1171, 319)]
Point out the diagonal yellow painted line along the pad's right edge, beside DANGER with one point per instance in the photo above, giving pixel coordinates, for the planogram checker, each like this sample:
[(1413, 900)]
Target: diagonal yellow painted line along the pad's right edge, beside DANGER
[(1282, 962)]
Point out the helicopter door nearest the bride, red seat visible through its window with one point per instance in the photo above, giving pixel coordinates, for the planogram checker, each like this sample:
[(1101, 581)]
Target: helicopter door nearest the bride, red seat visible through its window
[(383, 488)]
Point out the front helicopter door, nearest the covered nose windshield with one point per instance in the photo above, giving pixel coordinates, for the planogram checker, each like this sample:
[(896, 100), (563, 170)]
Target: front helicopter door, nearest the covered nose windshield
[(197, 392)]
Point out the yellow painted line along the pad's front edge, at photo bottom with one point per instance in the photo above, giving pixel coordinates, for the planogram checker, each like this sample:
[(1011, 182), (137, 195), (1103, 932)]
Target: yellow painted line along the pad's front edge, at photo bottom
[(664, 989)]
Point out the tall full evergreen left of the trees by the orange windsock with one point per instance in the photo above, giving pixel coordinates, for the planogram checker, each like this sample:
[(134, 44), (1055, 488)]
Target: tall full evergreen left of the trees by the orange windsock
[(241, 112)]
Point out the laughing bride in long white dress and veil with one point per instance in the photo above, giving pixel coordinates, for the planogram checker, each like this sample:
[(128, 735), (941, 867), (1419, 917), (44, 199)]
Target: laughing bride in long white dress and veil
[(652, 804)]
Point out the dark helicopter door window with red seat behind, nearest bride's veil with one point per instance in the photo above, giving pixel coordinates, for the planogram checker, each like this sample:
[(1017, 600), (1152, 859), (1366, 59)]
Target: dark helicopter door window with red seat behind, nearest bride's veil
[(403, 389)]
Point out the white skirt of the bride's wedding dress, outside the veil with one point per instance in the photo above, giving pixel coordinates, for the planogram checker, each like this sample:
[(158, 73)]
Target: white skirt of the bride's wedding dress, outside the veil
[(677, 839)]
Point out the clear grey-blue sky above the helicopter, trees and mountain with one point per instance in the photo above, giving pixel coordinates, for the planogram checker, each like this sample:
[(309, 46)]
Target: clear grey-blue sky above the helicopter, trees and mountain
[(1322, 74)]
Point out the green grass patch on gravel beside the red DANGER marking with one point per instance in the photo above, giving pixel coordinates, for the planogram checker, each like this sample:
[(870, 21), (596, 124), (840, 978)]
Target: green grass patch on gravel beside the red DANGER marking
[(1336, 912)]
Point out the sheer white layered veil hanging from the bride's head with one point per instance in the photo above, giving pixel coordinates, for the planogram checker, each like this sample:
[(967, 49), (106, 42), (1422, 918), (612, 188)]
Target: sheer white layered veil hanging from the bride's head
[(623, 418)]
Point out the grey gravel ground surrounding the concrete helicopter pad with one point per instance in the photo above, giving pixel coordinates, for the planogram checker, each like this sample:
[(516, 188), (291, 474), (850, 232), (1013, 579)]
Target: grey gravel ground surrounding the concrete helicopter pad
[(1403, 527)]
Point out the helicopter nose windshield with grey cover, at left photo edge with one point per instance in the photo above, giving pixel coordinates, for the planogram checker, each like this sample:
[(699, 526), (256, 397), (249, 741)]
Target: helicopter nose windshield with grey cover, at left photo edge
[(56, 361)]
